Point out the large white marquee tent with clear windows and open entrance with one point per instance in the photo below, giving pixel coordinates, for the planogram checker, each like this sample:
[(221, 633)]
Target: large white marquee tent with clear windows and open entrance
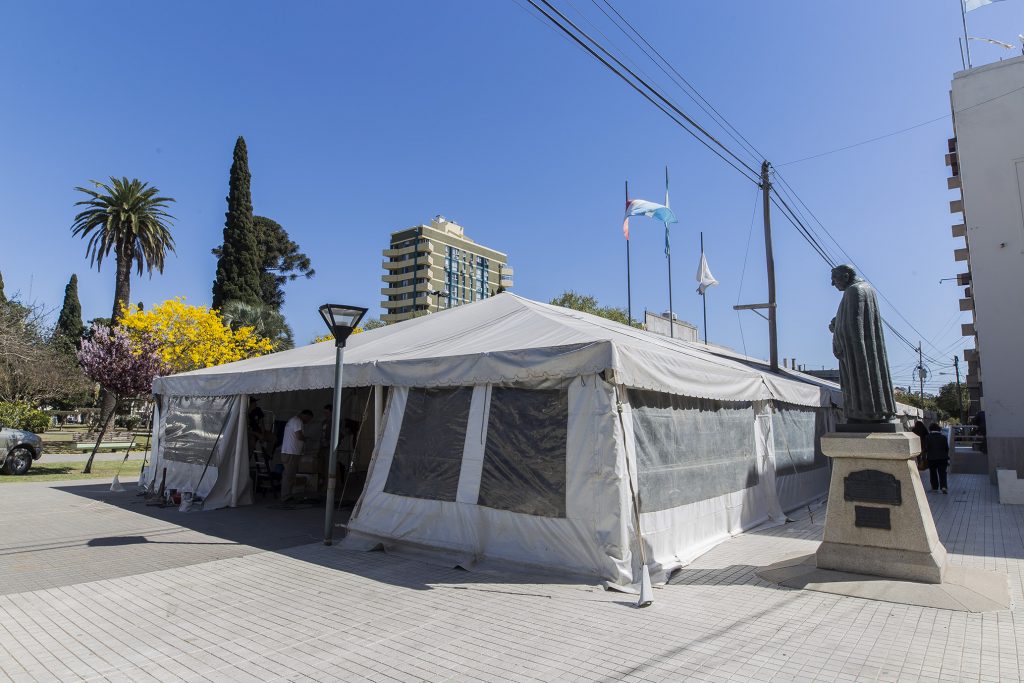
[(525, 434)]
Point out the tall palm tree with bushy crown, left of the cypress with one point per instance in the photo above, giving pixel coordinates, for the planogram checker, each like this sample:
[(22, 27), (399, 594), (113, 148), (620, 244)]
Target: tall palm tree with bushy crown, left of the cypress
[(130, 218)]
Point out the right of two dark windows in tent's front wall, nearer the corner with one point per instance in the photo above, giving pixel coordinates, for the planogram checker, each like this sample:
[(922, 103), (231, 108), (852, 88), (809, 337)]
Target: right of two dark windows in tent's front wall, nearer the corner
[(525, 456)]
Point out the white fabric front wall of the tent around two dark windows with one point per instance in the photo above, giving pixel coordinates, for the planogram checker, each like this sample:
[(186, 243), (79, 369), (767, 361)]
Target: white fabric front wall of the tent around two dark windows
[(585, 537)]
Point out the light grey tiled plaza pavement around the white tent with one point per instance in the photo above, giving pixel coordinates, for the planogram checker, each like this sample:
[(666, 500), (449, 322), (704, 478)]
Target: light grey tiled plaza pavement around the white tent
[(324, 614)]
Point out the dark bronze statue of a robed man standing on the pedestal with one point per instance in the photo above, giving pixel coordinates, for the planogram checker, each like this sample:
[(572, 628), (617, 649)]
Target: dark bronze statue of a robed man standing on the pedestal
[(861, 348)]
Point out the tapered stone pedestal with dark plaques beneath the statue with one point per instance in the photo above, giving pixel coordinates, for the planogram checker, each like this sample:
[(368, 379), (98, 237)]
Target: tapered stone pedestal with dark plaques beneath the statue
[(879, 522)]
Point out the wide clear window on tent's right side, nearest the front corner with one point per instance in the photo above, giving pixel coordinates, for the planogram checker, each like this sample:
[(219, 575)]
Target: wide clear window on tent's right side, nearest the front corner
[(691, 450)]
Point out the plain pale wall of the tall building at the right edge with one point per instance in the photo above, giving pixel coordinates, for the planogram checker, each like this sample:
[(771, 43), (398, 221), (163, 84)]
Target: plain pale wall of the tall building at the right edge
[(989, 117)]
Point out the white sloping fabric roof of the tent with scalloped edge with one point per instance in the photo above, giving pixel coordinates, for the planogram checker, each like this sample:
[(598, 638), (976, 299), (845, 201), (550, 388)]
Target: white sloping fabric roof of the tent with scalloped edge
[(508, 338)]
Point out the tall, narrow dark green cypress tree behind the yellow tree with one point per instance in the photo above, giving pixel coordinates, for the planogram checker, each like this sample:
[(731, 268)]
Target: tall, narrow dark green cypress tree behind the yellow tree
[(239, 264)]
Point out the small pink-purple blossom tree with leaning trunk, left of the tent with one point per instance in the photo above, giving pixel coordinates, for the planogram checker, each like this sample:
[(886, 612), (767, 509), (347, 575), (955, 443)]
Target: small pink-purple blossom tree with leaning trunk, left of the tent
[(125, 369)]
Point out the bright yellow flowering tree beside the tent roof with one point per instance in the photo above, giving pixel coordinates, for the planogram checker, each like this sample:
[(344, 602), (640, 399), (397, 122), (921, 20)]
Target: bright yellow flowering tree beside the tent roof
[(192, 337)]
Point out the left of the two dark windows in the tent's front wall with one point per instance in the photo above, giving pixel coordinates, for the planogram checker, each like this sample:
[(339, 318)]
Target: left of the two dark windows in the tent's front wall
[(429, 456)]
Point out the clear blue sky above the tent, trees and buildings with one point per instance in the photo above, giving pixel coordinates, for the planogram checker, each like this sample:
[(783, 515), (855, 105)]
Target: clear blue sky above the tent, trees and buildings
[(366, 118)]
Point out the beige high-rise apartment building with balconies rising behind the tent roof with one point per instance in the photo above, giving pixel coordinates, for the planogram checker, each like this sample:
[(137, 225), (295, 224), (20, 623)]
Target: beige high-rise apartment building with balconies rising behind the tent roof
[(433, 268)]
